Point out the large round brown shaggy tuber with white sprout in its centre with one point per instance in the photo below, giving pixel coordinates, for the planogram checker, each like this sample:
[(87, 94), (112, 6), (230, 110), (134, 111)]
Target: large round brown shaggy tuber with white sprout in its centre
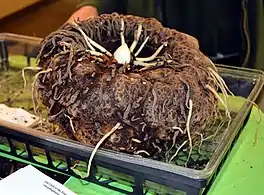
[(112, 69)]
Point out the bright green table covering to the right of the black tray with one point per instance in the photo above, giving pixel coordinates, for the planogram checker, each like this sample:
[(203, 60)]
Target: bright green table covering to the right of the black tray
[(243, 170)]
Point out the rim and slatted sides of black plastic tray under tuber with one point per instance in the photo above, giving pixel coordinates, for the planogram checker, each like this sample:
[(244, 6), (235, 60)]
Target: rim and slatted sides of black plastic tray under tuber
[(141, 174)]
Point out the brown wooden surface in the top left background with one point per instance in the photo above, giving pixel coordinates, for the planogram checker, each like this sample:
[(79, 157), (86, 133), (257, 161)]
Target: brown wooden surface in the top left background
[(40, 19)]
